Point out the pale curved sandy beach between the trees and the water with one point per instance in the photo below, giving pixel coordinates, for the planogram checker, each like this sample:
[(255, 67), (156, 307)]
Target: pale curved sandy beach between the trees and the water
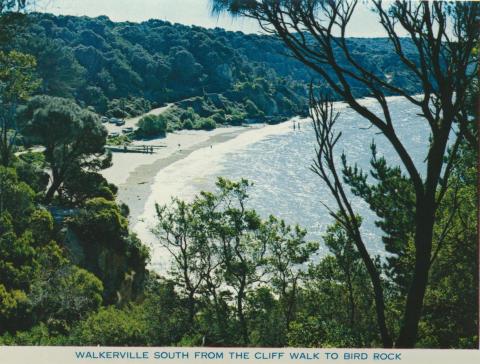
[(146, 179)]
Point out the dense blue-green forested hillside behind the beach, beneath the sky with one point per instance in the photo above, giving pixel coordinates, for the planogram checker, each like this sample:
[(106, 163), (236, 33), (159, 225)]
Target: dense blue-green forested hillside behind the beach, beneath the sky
[(121, 69)]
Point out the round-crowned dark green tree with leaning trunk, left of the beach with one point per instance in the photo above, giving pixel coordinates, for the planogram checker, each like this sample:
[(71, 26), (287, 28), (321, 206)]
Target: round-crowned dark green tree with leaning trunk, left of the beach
[(73, 138)]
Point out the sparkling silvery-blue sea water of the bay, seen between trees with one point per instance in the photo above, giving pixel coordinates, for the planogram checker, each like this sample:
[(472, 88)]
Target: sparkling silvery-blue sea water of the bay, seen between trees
[(279, 166)]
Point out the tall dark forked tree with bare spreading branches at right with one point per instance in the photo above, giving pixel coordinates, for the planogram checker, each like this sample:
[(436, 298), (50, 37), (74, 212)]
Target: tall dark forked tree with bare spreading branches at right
[(443, 35)]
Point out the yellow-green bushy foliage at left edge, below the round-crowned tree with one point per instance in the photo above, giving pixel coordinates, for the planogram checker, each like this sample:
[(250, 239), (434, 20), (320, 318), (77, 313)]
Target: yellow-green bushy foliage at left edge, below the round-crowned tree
[(27, 250)]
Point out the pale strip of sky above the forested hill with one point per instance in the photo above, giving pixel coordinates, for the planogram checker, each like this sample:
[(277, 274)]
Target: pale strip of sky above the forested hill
[(189, 12)]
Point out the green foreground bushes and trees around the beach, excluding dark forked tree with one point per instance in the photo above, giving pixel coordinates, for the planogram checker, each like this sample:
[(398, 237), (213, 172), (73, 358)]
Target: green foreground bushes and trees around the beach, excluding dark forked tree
[(71, 272)]
